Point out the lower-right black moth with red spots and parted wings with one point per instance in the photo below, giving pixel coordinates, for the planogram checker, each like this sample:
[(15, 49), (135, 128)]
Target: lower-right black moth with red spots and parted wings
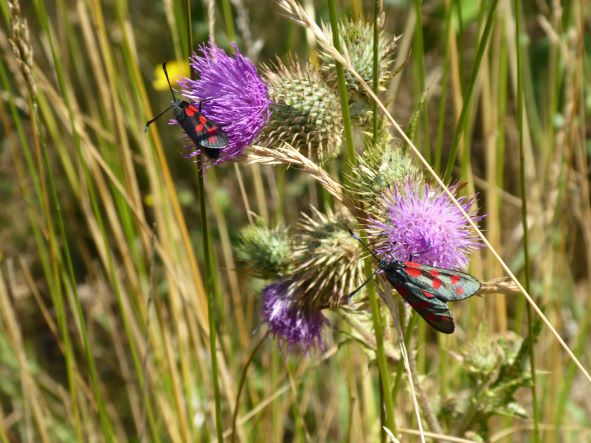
[(425, 288)]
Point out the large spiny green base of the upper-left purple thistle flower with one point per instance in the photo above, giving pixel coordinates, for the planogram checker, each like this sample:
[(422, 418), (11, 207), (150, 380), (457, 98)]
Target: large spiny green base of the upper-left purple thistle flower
[(305, 111)]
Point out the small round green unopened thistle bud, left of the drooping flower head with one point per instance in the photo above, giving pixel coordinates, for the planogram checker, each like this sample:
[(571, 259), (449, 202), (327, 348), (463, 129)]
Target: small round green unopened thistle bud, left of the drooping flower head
[(266, 252)]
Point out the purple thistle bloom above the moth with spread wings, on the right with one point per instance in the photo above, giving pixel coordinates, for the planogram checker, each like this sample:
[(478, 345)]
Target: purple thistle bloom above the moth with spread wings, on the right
[(426, 225)]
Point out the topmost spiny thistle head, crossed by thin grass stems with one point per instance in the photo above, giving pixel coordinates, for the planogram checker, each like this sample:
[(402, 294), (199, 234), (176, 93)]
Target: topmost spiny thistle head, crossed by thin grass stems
[(357, 39)]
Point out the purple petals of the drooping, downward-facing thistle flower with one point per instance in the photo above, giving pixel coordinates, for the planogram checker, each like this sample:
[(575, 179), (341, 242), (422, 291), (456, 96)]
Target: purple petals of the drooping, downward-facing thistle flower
[(294, 326)]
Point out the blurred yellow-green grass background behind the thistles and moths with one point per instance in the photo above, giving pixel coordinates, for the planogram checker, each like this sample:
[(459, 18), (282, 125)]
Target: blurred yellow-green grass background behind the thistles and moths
[(103, 315)]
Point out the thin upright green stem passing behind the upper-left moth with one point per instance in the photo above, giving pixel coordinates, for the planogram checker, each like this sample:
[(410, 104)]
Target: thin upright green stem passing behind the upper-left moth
[(209, 283)]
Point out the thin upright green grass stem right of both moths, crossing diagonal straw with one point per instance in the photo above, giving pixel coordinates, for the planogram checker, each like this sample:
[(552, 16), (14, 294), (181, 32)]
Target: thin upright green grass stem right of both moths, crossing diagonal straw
[(526, 266)]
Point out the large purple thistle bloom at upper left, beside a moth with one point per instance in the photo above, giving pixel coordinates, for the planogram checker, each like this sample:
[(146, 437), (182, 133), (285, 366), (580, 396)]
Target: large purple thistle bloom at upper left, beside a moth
[(234, 97)]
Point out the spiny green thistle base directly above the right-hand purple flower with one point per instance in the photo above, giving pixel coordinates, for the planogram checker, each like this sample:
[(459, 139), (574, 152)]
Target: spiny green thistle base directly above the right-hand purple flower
[(381, 166)]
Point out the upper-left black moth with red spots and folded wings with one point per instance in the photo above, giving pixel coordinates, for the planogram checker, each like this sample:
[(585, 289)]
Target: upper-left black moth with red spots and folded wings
[(203, 132)]
